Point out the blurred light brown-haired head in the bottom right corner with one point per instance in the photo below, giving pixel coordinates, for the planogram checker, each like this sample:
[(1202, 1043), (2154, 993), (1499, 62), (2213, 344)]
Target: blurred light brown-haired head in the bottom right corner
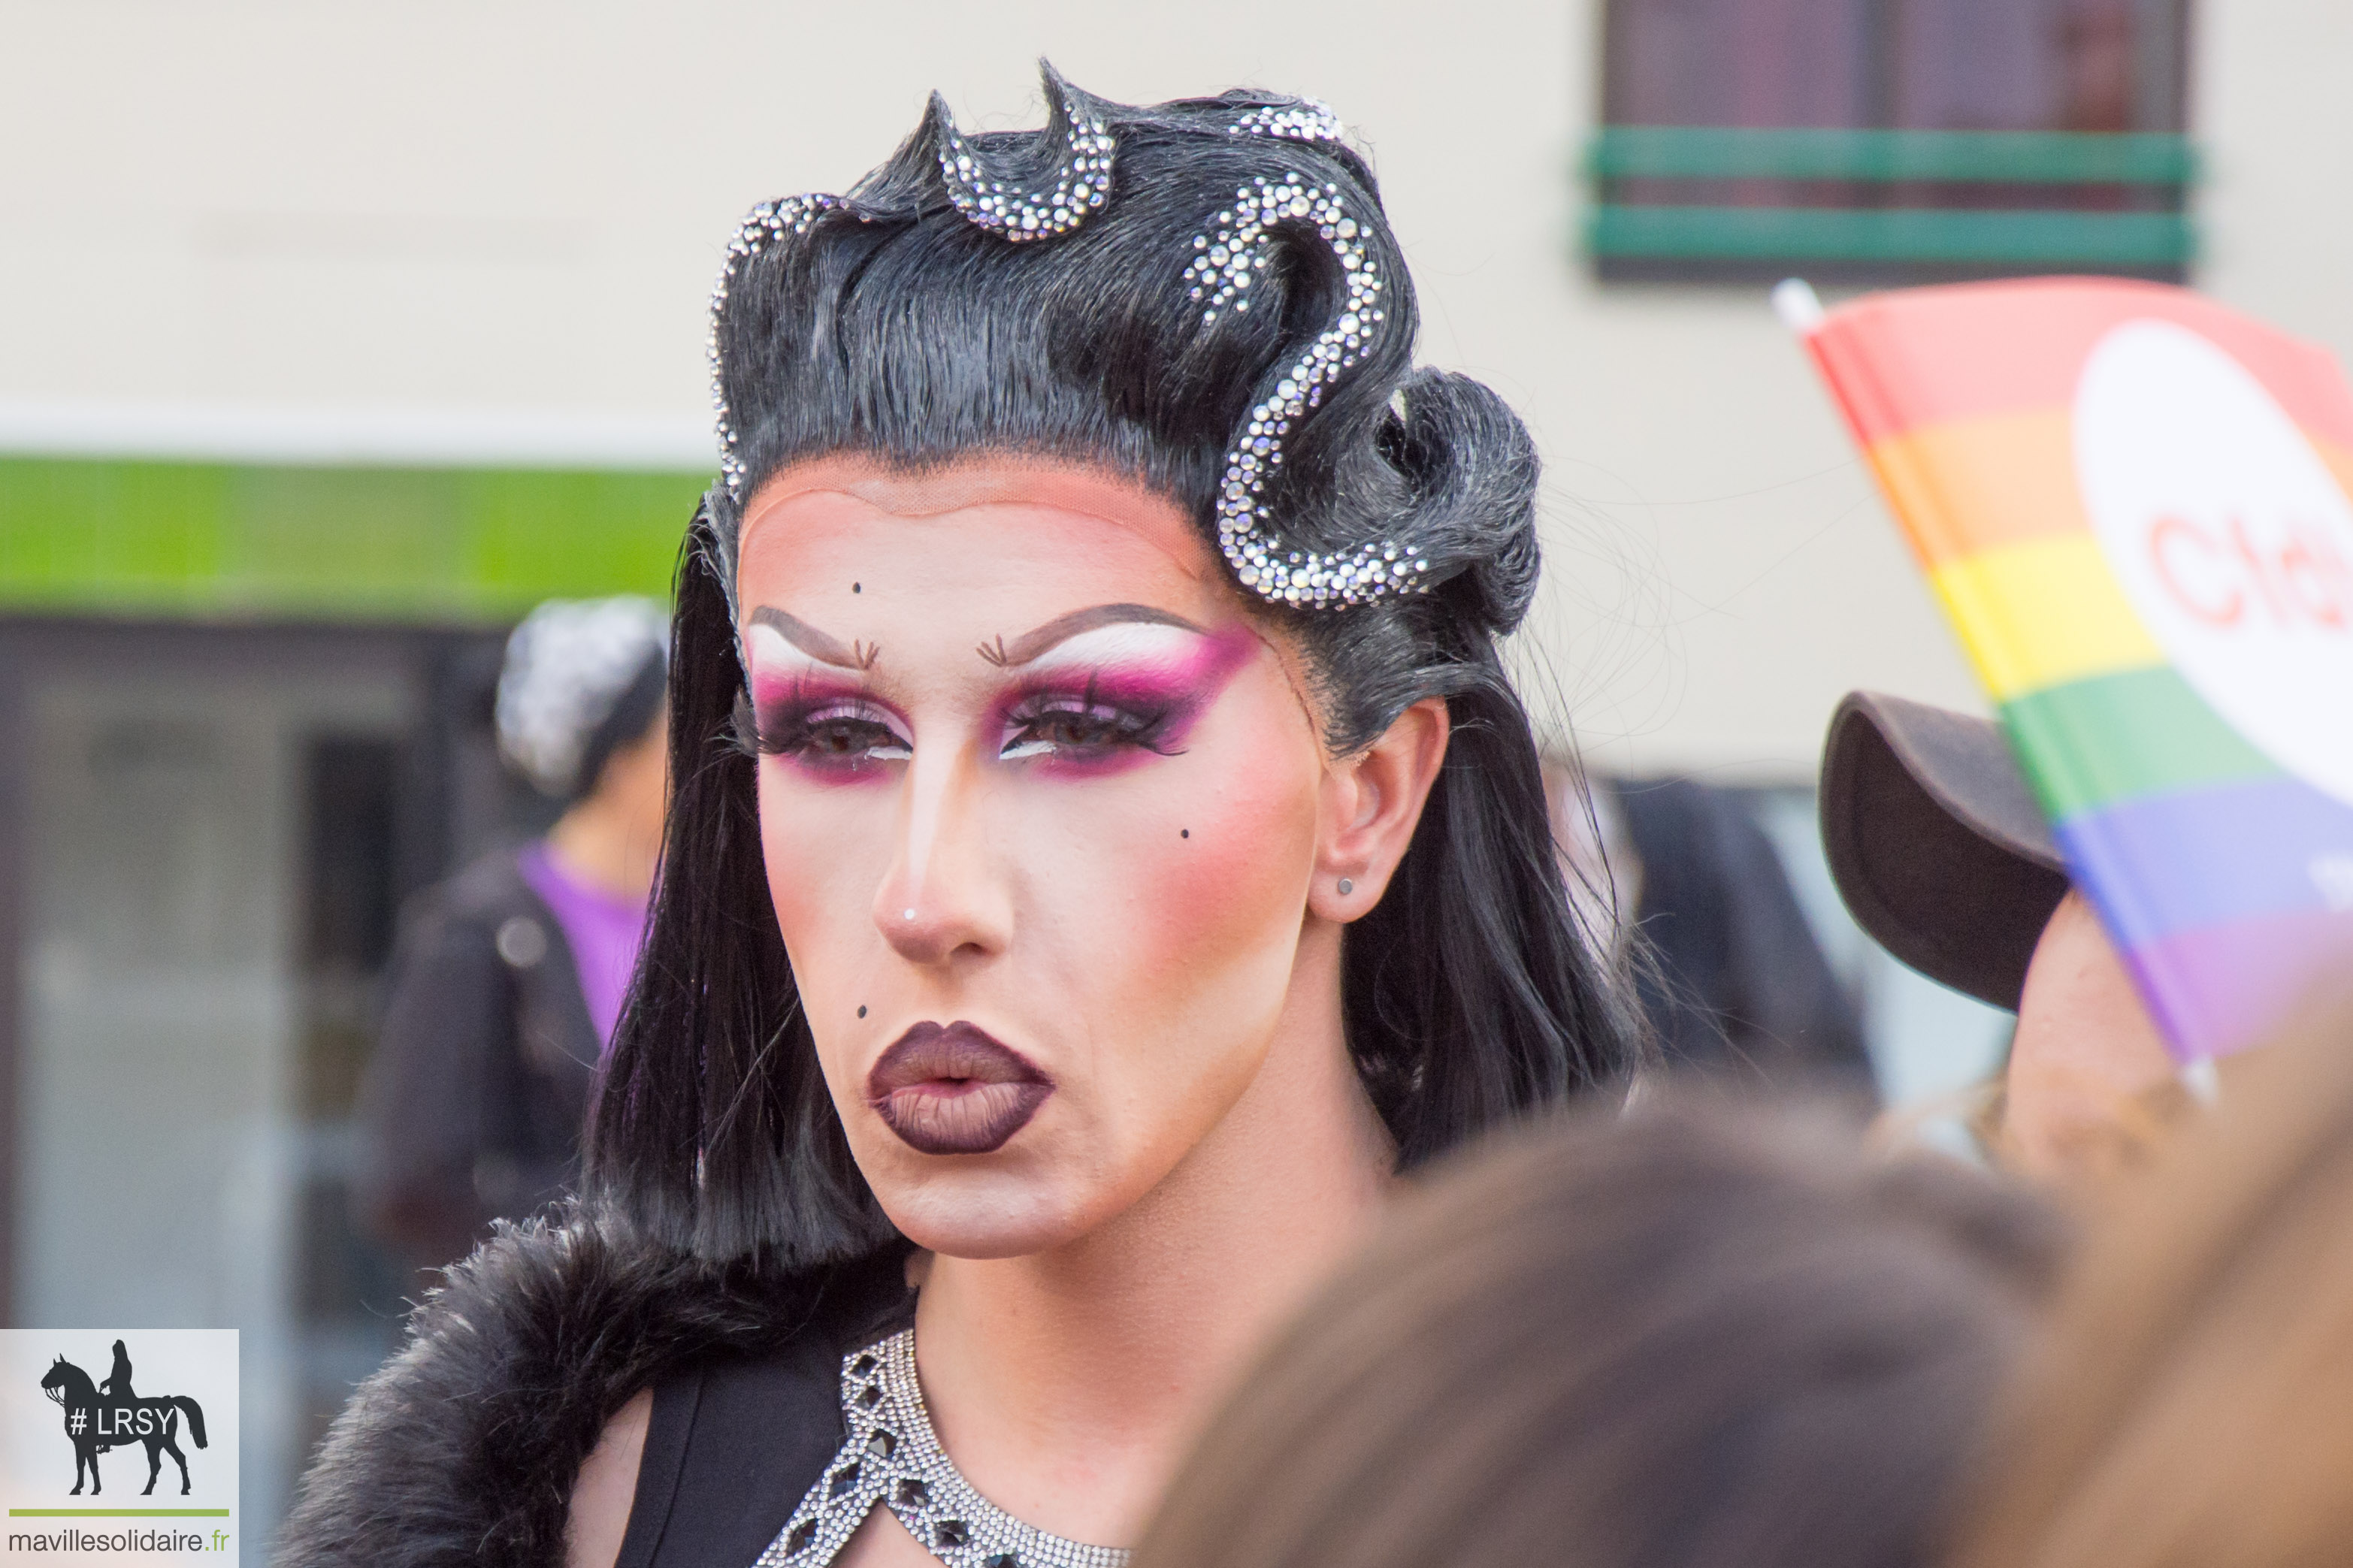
[(2194, 1402)]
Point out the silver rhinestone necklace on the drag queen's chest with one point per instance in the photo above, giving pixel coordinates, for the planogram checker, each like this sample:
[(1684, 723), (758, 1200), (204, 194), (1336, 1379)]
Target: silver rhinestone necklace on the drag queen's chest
[(895, 1459)]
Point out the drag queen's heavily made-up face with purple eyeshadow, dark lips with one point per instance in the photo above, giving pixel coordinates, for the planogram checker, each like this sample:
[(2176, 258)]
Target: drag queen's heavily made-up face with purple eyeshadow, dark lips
[(1041, 808)]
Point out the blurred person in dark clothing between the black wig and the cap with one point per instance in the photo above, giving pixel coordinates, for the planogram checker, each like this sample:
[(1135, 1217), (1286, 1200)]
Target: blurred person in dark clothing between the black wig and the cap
[(1719, 949)]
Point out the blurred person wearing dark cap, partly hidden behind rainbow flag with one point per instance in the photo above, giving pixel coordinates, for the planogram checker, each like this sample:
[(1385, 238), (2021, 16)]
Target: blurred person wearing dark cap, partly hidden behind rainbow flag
[(1942, 855)]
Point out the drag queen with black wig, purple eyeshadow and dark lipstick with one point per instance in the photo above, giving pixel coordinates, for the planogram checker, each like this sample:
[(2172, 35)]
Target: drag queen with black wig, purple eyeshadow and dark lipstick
[(1105, 855)]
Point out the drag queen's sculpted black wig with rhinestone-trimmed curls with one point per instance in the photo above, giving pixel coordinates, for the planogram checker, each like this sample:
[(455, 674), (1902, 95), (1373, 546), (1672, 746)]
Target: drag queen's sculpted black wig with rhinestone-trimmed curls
[(1204, 297)]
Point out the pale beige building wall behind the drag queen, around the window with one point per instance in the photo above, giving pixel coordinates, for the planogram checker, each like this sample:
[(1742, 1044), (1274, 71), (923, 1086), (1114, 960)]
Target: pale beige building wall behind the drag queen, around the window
[(519, 206)]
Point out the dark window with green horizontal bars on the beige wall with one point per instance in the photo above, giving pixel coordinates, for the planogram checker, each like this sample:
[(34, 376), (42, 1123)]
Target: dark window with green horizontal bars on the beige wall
[(1891, 140)]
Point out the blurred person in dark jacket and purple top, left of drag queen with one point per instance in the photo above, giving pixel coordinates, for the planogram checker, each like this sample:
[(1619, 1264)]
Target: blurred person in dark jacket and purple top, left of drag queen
[(509, 977)]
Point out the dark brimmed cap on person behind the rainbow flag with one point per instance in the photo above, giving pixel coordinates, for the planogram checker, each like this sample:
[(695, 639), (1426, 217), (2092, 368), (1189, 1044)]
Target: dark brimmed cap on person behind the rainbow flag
[(1938, 843)]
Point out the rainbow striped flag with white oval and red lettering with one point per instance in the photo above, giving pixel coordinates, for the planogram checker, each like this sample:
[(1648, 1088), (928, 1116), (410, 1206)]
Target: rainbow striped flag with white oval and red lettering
[(2135, 511)]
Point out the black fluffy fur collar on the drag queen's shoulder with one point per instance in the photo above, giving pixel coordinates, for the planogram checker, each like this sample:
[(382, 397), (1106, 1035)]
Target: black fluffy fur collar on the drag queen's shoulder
[(467, 1445)]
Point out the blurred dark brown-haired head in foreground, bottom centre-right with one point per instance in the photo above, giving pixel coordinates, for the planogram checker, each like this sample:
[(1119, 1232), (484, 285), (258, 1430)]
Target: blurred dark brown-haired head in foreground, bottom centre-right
[(1681, 1339)]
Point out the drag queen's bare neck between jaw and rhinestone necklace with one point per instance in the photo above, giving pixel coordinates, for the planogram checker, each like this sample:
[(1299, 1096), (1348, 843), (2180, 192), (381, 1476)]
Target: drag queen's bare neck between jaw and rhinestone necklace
[(1069, 1383)]
